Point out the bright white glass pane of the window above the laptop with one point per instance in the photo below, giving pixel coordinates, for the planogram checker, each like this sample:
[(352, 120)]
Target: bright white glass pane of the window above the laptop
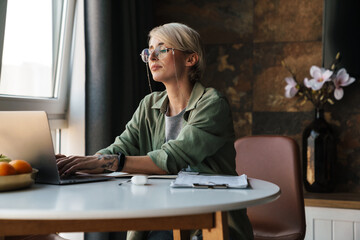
[(27, 66)]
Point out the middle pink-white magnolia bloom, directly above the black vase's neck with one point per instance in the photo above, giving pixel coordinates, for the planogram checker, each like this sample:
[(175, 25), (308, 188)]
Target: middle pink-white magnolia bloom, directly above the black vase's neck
[(320, 76)]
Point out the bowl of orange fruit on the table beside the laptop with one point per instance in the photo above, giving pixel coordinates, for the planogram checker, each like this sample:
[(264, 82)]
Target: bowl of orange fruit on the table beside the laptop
[(15, 174)]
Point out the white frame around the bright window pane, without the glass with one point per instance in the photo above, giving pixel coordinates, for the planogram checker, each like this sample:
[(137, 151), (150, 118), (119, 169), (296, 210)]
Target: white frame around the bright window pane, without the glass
[(55, 107)]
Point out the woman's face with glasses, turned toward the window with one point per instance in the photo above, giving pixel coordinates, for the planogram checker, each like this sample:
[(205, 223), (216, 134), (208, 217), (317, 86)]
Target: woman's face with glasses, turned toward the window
[(163, 67)]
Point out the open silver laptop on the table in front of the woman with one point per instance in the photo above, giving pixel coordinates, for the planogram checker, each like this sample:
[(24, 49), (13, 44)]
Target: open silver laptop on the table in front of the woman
[(26, 135)]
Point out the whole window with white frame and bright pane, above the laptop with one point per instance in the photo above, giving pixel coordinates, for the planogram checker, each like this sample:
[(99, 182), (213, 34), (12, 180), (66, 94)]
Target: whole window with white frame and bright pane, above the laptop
[(35, 55)]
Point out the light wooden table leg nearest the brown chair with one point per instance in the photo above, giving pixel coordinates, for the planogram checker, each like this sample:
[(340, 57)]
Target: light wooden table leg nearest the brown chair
[(220, 231)]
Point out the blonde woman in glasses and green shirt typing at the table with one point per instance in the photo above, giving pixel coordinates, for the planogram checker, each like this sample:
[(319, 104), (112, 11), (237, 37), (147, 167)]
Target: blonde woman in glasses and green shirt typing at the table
[(160, 137)]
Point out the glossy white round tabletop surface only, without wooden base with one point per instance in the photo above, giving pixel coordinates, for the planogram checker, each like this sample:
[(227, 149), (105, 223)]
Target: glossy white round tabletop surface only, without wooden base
[(108, 199)]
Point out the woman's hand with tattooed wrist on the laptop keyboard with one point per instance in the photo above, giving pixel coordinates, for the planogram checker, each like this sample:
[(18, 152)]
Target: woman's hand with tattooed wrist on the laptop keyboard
[(87, 164)]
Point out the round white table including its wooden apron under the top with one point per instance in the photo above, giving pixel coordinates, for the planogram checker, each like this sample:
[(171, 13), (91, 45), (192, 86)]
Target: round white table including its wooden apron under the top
[(69, 207)]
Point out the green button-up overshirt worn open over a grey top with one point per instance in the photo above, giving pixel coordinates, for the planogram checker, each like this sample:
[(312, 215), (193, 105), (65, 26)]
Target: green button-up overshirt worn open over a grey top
[(205, 143)]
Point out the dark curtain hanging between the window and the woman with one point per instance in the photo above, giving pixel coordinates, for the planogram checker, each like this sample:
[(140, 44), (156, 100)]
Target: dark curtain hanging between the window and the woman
[(115, 33)]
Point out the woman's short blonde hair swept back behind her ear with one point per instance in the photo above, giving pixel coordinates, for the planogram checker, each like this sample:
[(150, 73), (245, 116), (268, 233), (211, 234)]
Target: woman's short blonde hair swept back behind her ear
[(184, 38)]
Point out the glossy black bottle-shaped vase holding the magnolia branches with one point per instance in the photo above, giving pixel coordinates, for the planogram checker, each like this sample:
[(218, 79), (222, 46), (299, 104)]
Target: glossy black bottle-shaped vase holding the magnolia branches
[(319, 155)]
